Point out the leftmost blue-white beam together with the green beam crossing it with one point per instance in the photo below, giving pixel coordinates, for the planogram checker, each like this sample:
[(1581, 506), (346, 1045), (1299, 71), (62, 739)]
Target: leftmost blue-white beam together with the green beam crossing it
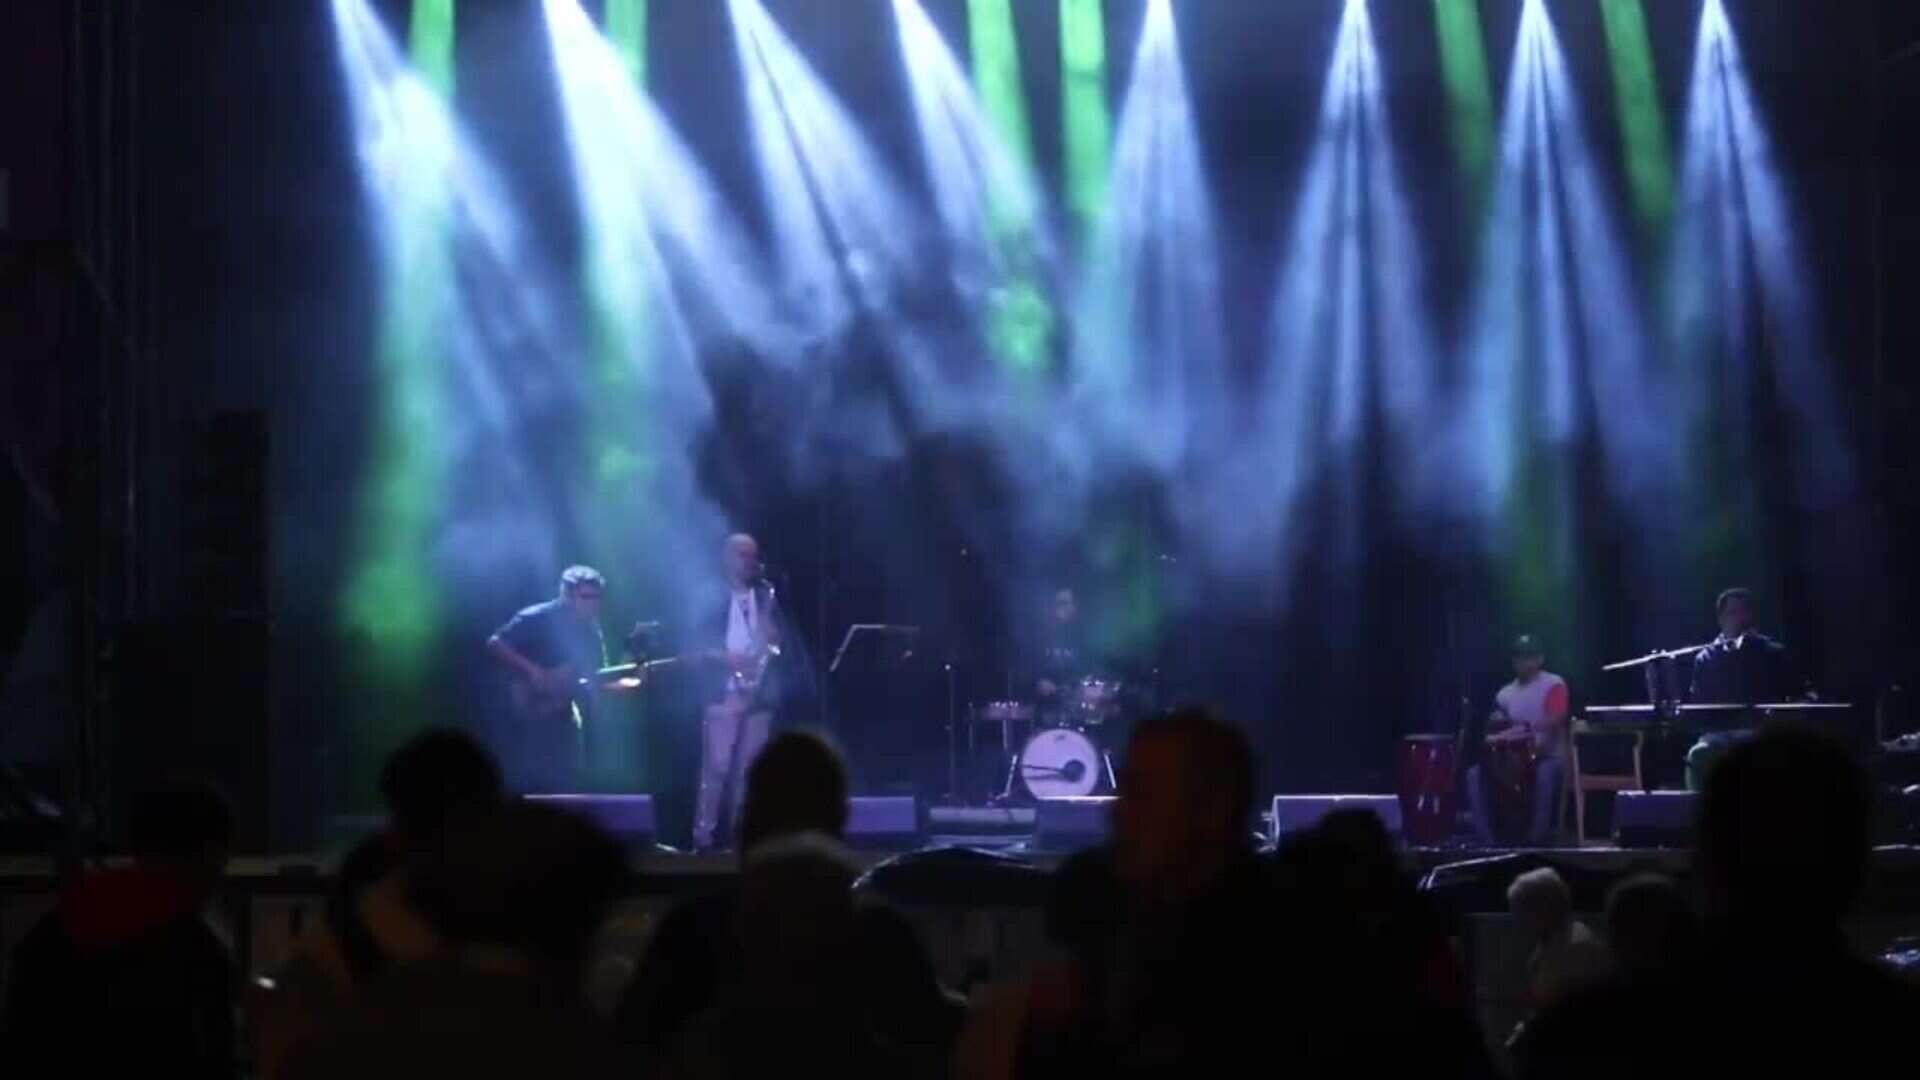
[(466, 307)]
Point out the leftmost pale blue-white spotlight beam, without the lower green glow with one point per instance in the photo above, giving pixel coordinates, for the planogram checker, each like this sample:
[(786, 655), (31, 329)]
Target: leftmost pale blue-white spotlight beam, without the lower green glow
[(439, 205)]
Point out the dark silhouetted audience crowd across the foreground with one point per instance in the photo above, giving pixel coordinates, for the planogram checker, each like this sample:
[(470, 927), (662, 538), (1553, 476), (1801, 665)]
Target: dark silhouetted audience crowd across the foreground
[(458, 945)]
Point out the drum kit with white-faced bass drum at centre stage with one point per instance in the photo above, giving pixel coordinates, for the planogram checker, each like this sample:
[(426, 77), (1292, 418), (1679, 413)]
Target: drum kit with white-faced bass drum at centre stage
[(1061, 747)]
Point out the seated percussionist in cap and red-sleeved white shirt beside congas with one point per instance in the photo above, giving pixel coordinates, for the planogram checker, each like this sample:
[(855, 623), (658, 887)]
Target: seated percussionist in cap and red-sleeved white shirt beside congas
[(1531, 708)]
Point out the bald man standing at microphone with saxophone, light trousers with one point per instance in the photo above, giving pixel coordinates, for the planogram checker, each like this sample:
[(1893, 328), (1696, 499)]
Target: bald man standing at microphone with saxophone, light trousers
[(742, 704)]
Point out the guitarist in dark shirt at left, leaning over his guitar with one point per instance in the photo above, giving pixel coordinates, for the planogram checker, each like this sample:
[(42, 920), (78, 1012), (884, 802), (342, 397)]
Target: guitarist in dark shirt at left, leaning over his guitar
[(546, 650)]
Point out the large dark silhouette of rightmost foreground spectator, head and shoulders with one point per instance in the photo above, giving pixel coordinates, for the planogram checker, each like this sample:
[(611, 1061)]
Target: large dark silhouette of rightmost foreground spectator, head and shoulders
[(1773, 987)]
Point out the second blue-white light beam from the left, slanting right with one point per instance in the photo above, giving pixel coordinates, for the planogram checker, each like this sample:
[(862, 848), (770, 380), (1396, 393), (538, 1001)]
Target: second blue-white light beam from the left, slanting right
[(667, 268)]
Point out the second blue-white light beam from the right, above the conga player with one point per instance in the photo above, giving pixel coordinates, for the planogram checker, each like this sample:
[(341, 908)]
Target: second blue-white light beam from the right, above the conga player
[(1556, 353)]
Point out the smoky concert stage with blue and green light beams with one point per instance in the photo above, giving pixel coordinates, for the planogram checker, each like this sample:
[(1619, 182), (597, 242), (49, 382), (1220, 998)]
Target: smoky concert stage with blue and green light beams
[(546, 289)]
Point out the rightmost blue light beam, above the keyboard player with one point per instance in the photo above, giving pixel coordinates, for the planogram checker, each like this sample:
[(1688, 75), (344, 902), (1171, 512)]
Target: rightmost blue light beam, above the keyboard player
[(1746, 318)]
